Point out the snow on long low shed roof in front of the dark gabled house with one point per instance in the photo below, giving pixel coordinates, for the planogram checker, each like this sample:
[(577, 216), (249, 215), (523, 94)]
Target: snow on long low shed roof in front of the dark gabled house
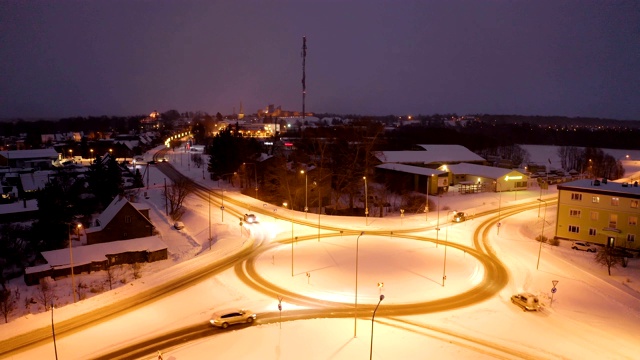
[(97, 252)]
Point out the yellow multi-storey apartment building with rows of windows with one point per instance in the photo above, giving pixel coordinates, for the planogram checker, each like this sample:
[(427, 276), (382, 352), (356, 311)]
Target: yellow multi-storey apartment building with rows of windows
[(599, 212)]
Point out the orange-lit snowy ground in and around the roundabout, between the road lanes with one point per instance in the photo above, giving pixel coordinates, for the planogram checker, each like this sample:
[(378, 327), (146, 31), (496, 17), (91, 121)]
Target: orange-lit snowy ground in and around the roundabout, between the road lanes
[(592, 315)]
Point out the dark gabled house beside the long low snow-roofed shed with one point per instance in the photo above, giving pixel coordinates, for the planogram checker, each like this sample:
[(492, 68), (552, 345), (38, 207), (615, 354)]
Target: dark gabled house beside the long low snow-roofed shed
[(121, 220)]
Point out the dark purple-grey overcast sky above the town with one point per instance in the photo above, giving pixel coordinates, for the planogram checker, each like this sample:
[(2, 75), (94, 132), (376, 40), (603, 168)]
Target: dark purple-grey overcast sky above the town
[(81, 58)]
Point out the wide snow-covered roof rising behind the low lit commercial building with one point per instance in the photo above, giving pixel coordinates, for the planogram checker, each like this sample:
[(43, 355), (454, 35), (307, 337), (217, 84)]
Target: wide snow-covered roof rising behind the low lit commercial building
[(432, 154)]
